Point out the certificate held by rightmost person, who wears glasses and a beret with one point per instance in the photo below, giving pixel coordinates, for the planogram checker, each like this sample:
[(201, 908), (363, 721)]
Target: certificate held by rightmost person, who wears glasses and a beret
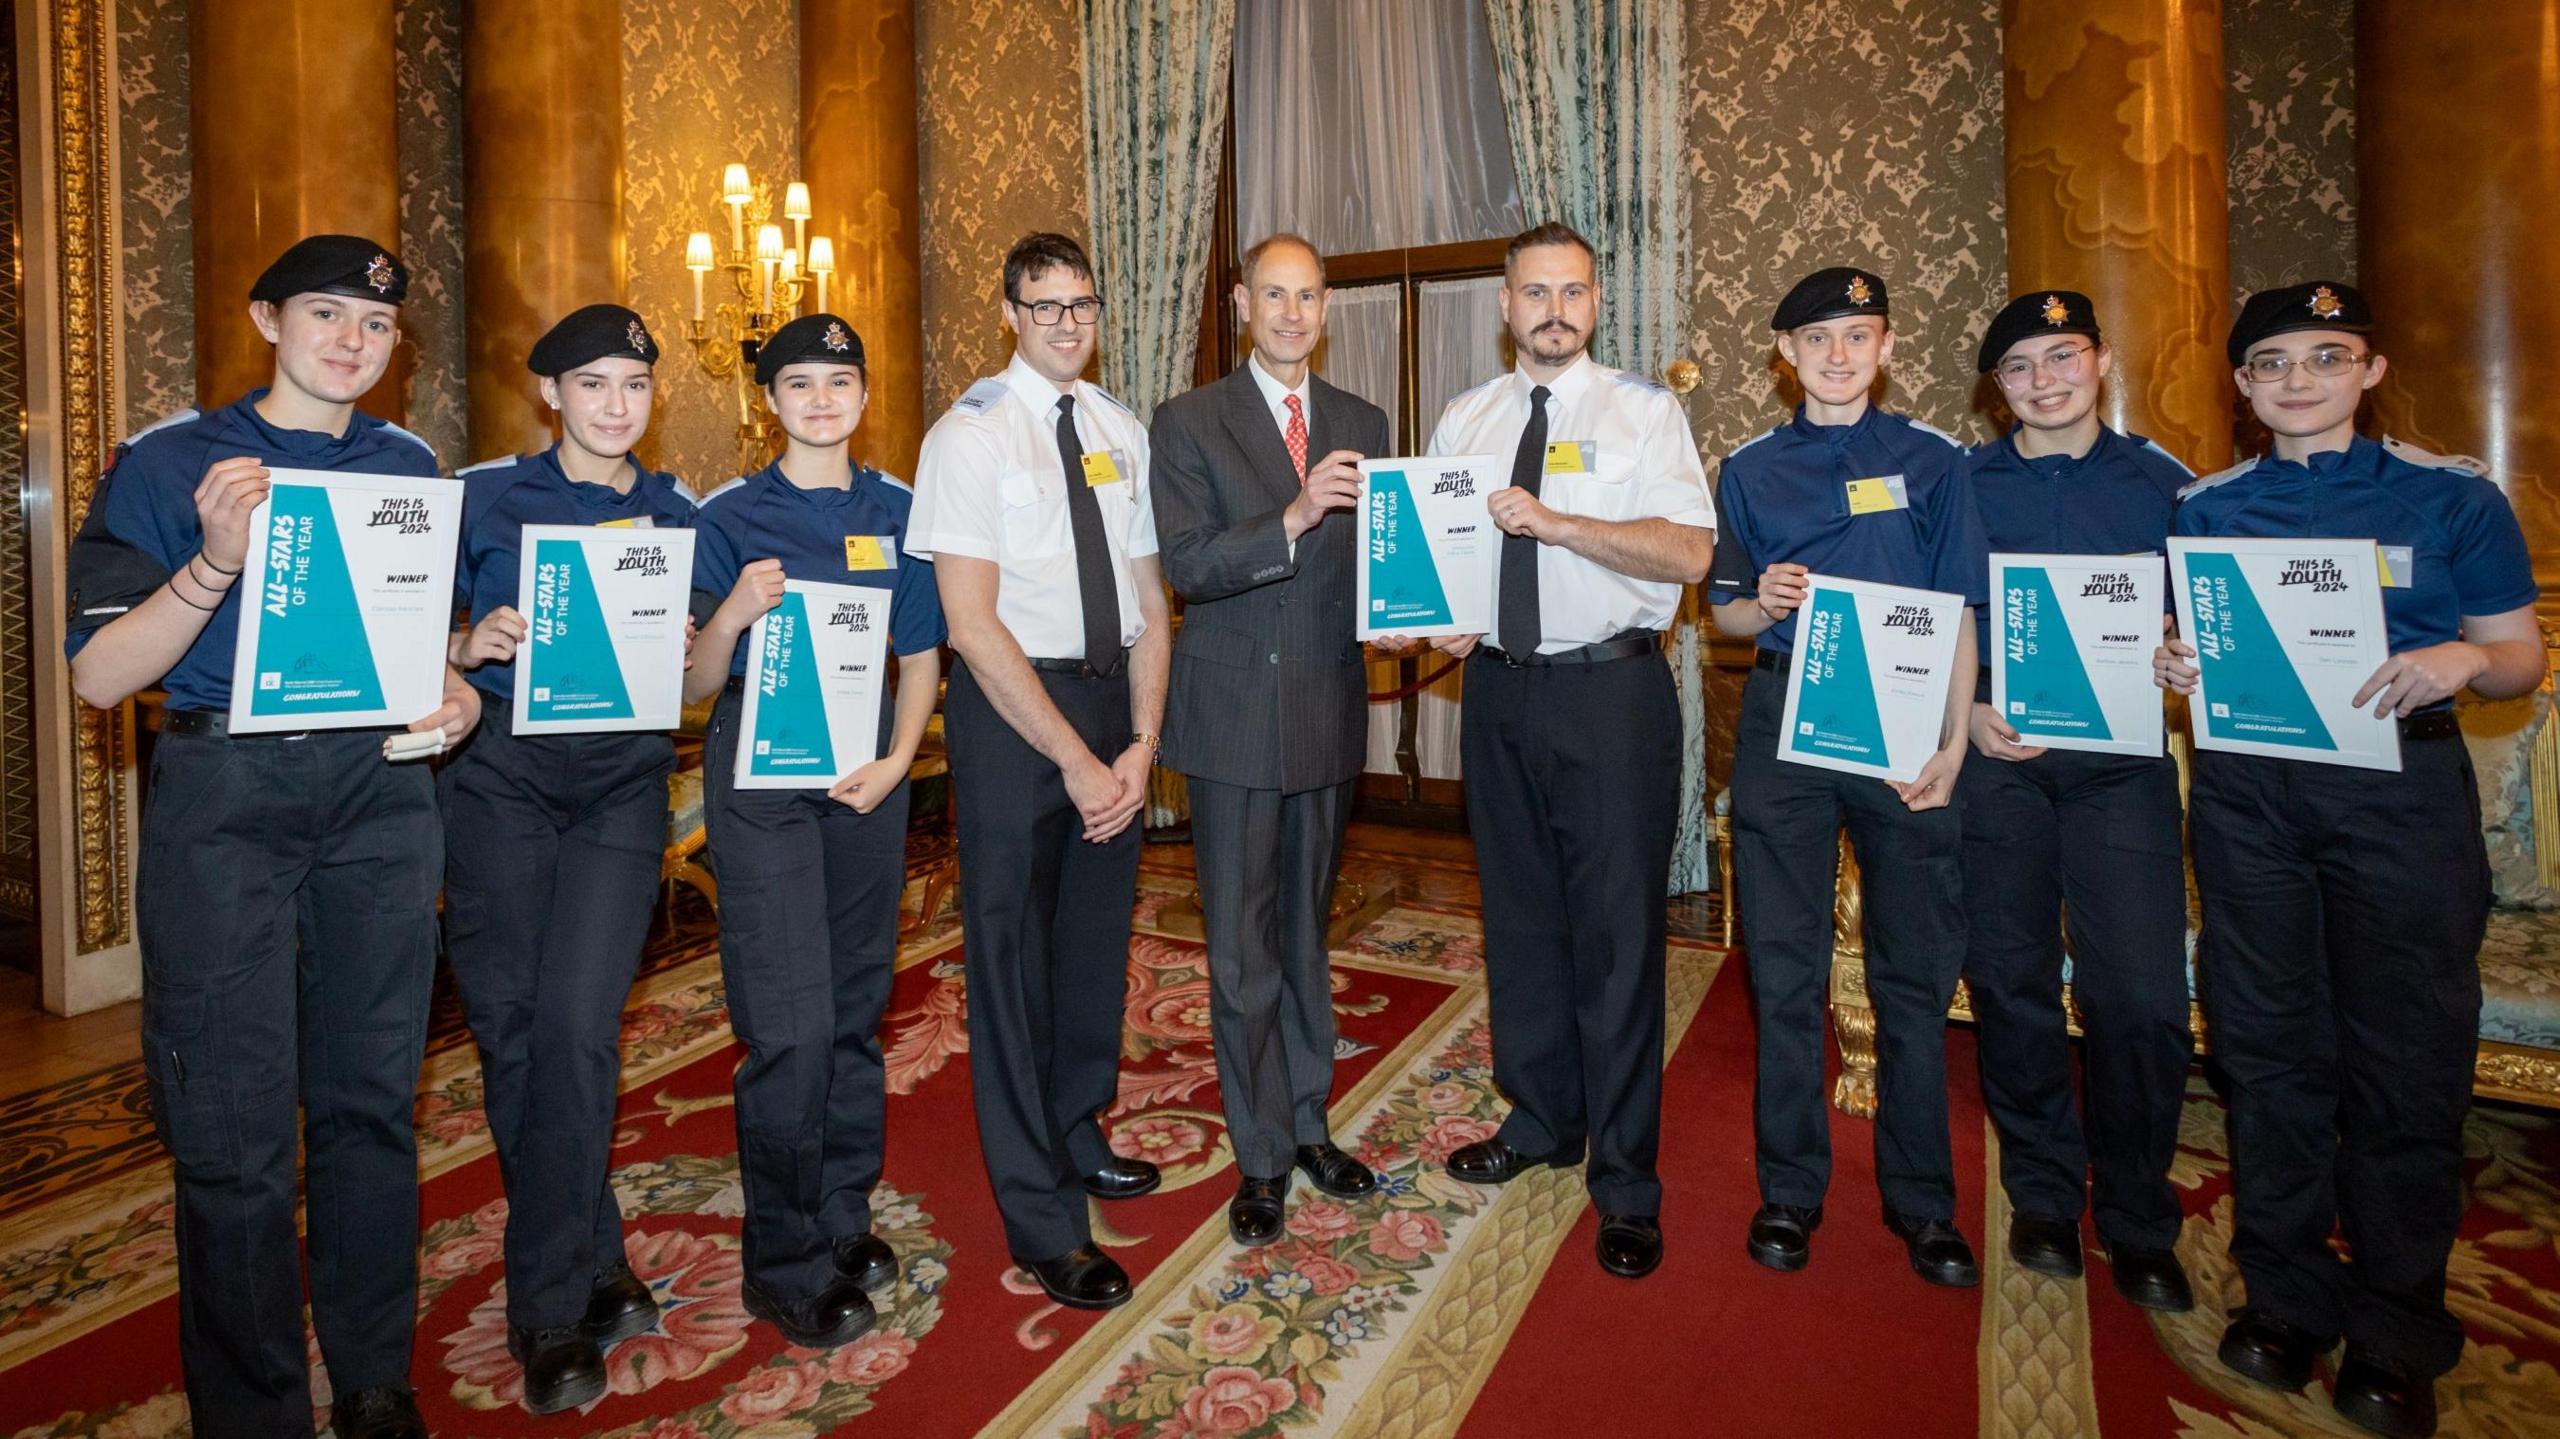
[(2285, 634)]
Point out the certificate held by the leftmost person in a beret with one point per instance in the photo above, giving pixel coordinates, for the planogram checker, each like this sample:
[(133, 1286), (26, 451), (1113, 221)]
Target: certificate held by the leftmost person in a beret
[(347, 603)]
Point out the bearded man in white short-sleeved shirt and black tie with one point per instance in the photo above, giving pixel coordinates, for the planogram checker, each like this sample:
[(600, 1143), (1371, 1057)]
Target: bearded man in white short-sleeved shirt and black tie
[(1571, 739)]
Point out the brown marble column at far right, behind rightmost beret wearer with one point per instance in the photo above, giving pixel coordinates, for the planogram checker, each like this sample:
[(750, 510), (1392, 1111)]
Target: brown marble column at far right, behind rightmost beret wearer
[(2459, 201)]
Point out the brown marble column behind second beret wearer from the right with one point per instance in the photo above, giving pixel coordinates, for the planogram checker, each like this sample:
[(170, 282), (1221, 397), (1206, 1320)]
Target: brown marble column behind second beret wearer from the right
[(2118, 188)]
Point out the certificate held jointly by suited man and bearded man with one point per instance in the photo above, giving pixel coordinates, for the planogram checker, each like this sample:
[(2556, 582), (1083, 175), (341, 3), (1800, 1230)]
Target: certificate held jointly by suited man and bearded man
[(1427, 547)]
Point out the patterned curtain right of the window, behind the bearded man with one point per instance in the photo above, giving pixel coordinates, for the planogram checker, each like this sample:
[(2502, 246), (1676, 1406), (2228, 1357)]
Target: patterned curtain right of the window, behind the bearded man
[(1596, 114)]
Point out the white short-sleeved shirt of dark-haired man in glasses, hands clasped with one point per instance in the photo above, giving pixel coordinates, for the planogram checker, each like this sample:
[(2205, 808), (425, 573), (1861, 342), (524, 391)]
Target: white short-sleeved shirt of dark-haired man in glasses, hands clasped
[(992, 485)]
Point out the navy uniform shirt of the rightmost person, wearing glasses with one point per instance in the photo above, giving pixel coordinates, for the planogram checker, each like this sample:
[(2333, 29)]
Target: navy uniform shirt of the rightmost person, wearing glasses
[(2467, 552)]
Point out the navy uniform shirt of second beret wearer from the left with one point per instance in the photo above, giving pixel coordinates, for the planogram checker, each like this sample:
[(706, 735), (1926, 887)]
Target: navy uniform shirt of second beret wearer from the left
[(500, 498)]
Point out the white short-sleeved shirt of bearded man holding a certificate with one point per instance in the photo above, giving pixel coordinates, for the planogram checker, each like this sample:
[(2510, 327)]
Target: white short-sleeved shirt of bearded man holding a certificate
[(1645, 467)]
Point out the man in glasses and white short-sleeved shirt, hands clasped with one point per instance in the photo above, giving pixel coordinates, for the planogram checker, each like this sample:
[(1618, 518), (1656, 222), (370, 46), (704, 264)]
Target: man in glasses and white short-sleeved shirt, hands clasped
[(1033, 506)]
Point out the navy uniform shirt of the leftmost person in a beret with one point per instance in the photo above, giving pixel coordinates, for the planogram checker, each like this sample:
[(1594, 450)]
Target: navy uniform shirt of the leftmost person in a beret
[(142, 524)]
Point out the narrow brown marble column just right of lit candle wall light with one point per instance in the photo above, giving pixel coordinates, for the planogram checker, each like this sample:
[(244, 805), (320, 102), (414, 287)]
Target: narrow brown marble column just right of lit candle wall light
[(859, 152)]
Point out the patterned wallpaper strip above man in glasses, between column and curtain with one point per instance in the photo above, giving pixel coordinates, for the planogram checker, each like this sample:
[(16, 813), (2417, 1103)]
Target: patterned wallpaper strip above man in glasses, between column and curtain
[(1002, 155)]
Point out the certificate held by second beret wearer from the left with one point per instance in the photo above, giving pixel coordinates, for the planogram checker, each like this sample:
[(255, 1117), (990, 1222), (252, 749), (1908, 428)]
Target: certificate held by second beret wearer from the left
[(603, 629)]
